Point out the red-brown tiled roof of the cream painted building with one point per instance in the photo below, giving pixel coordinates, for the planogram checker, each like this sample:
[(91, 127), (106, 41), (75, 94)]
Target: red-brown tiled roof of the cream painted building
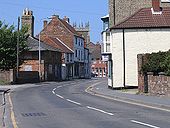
[(144, 18)]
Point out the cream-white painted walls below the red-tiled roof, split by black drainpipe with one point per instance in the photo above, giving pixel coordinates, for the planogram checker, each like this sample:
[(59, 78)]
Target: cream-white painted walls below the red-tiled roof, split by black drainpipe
[(137, 41)]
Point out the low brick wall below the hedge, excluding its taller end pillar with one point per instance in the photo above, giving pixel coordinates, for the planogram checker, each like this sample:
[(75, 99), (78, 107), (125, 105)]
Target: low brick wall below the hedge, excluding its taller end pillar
[(159, 85)]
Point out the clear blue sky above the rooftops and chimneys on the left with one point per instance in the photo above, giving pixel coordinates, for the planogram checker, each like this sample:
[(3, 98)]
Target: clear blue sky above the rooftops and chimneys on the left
[(77, 10)]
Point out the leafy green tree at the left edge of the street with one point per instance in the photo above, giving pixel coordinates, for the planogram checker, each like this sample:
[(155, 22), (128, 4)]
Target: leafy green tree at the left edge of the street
[(8, 45)]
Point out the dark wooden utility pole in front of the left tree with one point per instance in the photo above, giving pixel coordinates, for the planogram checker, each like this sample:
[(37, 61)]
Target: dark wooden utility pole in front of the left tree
[(18, 48)]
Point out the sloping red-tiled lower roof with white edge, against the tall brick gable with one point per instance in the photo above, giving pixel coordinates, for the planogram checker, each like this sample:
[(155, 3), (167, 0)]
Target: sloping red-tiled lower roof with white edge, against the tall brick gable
[(55, 42)]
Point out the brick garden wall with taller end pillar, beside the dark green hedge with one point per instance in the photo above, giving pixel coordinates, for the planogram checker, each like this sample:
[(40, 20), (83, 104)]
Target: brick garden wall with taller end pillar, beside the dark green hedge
[(148, 83)]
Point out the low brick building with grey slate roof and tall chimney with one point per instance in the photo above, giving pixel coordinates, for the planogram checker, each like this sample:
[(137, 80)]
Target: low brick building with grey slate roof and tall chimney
[(42, 61)]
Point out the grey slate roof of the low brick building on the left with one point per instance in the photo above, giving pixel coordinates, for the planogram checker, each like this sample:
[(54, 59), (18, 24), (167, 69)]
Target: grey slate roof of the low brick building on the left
[(33, 45)]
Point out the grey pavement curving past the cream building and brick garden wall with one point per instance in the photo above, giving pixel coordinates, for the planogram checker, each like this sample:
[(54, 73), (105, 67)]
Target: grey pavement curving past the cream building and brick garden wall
[(131, 96)]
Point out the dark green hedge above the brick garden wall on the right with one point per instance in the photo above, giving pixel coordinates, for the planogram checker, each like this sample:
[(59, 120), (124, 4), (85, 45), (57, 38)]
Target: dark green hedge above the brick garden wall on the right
[(157, 62)]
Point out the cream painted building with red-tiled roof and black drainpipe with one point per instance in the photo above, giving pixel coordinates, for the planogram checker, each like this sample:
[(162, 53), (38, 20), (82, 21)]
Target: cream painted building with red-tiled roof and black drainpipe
[(147, 31)]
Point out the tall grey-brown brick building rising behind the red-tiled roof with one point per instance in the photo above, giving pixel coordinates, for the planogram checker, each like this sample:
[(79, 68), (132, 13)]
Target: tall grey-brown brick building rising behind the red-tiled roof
[(119, 10)]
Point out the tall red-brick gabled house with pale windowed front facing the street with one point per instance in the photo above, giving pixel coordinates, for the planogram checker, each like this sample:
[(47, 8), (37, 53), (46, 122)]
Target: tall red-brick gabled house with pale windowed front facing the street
[(61, 29)]
